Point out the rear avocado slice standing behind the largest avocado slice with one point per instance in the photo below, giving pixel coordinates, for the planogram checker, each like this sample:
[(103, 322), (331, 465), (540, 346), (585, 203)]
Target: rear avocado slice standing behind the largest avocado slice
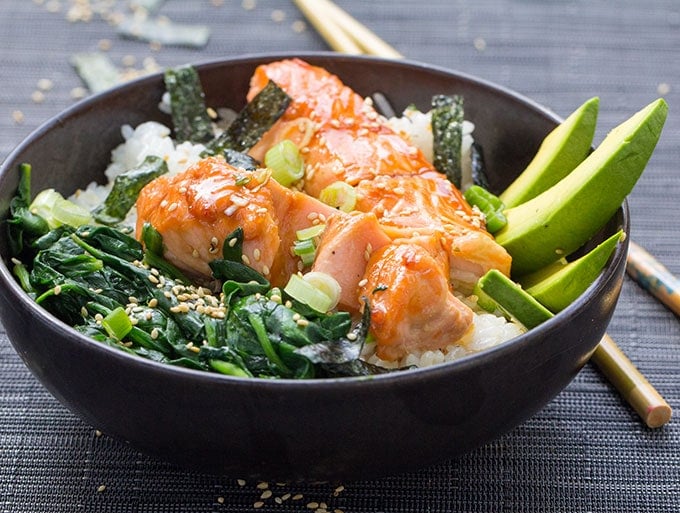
[(560, 152)]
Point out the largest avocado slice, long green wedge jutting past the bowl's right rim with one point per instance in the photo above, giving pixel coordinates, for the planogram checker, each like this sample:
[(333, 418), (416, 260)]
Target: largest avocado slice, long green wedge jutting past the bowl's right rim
[(561, 219)]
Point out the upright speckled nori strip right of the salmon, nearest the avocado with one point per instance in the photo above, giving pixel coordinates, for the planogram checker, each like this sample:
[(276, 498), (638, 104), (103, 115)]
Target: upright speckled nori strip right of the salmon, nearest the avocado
[(447, 133)]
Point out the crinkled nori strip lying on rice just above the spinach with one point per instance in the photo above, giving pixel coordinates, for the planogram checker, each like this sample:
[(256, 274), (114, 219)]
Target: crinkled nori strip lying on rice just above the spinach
[(126, 188)]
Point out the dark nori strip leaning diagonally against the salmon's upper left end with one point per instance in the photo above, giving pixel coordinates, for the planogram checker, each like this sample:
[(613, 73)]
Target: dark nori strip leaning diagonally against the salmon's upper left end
[(253, 121)]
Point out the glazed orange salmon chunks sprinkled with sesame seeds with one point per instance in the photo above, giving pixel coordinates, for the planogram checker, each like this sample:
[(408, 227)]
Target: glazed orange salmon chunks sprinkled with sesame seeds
[(410, 239)]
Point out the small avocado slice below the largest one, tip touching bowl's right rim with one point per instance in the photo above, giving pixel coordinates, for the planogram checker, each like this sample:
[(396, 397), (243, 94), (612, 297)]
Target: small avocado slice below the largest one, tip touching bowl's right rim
[(557, 285)]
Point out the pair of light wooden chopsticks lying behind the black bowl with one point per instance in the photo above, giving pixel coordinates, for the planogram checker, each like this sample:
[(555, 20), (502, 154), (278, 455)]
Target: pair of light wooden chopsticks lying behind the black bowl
[(345, 34)]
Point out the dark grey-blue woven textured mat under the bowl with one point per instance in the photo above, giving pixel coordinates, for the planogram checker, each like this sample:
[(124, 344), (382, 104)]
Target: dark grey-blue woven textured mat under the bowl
[(584, 452)]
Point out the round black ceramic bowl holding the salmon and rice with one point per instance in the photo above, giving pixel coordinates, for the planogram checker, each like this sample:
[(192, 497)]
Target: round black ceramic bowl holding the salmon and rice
[(323, 429)]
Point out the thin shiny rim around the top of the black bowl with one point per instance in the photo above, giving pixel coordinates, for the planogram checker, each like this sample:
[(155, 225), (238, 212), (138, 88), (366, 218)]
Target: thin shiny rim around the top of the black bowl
[(10, 285)]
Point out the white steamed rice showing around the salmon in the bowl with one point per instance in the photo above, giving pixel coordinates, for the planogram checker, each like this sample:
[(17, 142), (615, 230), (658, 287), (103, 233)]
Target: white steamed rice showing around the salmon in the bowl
[(152, 138)]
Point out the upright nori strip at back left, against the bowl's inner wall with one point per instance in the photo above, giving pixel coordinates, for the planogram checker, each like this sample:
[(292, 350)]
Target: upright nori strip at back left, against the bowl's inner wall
[(187, 101)]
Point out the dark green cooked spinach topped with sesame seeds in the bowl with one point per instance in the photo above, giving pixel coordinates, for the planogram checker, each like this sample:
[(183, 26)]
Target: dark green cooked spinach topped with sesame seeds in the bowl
[(242, 328)]
